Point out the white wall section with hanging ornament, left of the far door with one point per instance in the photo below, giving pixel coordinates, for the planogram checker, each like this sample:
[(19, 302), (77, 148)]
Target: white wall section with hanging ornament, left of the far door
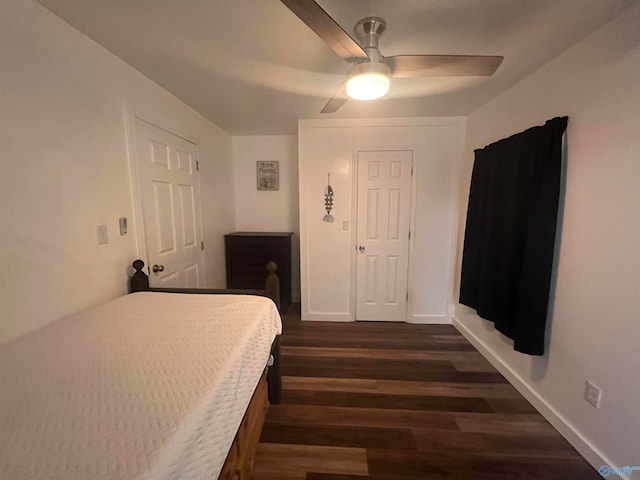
[(325, 248)]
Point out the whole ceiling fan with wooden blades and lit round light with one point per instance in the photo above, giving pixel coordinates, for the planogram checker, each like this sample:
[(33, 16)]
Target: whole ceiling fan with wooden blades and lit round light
[(370, 73)]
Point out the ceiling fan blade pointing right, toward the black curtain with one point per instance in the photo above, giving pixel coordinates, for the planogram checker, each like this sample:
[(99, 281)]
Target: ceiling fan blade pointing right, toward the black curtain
[(443, 65)]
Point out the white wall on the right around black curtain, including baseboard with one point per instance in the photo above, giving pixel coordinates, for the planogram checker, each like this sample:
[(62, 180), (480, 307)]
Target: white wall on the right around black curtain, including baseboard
[(595, 323)]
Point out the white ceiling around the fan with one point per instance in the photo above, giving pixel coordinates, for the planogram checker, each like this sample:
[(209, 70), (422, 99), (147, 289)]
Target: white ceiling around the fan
[(253, 68)]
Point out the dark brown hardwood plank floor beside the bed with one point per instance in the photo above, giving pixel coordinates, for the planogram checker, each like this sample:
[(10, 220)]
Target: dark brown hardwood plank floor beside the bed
[(384, 401)]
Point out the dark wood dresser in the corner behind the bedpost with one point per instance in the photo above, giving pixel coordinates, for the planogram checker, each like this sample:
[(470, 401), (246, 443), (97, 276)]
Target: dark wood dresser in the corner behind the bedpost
[(247, 253)]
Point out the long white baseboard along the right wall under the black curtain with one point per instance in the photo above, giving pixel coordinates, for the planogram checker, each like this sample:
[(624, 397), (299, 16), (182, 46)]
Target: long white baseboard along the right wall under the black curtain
[(565, 428)]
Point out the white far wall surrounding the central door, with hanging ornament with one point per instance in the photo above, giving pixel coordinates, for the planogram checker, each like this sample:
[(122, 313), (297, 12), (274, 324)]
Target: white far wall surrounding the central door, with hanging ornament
[(328, 255)]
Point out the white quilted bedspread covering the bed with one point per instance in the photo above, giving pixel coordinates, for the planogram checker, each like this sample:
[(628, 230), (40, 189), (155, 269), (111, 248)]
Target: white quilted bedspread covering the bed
[(147, 386)]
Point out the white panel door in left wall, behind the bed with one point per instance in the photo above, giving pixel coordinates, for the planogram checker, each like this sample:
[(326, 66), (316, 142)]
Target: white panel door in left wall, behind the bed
[(169, 186)]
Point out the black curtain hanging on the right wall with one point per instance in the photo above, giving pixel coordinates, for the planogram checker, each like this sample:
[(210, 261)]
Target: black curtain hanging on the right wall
[(510, 233)]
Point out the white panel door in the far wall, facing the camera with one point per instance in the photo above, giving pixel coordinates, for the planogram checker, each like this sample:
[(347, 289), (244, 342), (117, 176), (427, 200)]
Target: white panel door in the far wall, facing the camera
[(383, 213)]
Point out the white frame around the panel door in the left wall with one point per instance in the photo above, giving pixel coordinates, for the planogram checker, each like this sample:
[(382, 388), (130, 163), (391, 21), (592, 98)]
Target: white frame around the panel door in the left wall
[(134, 176)]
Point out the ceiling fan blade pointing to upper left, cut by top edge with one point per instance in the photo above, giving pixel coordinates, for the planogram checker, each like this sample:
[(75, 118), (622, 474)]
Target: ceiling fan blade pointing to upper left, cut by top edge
[(326, 28)]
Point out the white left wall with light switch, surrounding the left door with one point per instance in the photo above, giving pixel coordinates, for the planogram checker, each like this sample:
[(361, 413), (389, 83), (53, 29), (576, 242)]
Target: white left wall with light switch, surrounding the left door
[(64, 168)]
